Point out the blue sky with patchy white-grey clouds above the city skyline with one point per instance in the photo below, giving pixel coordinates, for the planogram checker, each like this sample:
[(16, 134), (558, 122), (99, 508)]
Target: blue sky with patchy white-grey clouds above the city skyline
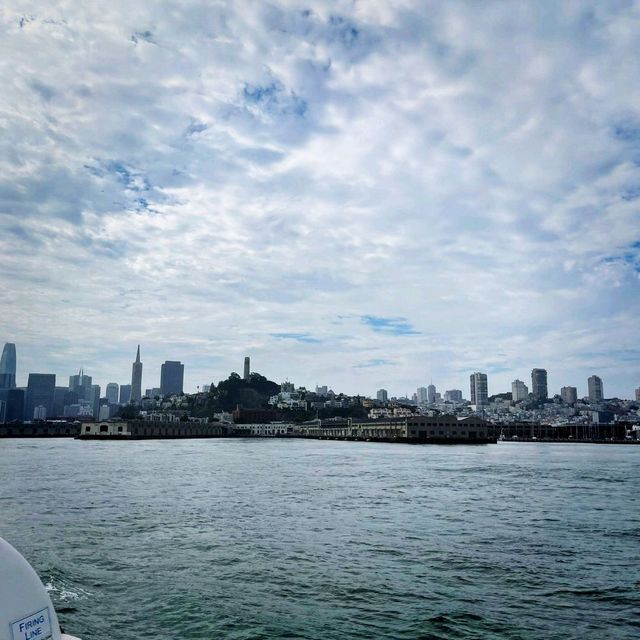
[(361, 194)]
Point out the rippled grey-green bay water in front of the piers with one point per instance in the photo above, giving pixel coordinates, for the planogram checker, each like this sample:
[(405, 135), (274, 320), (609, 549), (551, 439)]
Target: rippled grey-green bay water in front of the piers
[(260, 538)]
